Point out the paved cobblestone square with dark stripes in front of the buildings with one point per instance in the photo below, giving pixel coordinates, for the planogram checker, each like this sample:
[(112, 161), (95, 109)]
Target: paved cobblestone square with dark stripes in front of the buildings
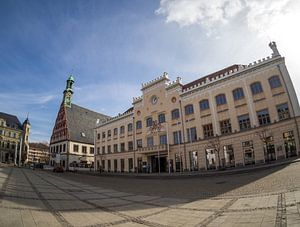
[(269, 197)]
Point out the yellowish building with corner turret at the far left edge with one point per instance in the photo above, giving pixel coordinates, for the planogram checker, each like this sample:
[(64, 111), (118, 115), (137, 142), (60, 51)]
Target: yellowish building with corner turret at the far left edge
[(13, 134)]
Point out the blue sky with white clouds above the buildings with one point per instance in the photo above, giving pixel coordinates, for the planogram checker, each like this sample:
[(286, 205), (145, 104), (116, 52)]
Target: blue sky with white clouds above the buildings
[(111, 47)]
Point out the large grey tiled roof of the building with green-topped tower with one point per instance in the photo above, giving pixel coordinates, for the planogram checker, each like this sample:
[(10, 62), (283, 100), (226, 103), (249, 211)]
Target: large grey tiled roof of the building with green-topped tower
[(81, 123)]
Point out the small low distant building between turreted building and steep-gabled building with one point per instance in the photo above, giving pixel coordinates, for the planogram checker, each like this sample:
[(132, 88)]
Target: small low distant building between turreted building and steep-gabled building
[(38, 153)]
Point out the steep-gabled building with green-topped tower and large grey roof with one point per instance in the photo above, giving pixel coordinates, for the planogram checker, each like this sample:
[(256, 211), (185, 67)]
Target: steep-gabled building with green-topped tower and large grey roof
[(72, 140)]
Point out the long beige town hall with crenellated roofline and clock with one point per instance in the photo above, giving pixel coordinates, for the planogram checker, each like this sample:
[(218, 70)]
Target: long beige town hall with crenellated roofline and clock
[(241, 115)]
